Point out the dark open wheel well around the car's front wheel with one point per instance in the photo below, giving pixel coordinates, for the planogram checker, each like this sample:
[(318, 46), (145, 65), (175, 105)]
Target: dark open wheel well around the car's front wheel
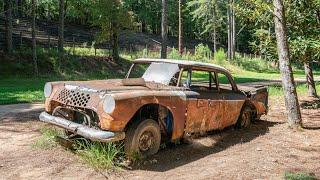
[(157, 112)]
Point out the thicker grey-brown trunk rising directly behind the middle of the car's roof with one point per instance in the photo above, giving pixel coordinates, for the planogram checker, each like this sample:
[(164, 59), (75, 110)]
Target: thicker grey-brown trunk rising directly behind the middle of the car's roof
[(164, 29)]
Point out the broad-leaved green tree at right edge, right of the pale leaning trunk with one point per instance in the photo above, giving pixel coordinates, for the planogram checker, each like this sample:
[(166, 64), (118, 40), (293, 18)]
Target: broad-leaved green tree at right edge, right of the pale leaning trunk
[(304, 36)]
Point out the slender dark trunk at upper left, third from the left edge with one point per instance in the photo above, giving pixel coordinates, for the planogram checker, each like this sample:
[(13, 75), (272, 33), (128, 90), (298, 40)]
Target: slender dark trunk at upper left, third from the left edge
[(61, 31)]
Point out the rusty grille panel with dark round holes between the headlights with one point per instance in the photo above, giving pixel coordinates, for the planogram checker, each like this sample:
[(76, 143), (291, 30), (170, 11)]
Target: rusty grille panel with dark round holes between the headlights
[(73, 98)]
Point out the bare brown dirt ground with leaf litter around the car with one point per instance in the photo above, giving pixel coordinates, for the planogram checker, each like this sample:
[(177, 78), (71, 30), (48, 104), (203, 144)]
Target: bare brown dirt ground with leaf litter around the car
[(266, 150)]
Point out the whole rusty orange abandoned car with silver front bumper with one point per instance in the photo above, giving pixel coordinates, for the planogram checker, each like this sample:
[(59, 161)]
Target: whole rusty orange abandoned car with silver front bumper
[(158, 100)]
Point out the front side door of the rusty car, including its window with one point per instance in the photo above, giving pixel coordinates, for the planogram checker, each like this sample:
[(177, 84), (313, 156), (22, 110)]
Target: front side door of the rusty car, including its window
[(203, 110)]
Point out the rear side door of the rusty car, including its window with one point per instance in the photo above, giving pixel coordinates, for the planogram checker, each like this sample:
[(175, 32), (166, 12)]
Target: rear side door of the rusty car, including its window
[(232, 100)]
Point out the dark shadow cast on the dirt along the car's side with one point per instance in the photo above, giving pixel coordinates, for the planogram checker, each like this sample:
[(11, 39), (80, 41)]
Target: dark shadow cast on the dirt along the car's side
[(178, 155)]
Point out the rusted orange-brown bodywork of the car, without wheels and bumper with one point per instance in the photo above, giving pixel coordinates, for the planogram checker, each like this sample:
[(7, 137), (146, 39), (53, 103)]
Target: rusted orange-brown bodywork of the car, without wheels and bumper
[(180, 107)]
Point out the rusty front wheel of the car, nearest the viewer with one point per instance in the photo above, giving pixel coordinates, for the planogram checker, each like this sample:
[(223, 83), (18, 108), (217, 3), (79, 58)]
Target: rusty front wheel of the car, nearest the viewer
[(143, 138)]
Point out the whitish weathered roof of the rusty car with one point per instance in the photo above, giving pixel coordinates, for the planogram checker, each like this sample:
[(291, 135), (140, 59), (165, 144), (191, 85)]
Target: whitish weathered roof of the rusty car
[(200, 65)]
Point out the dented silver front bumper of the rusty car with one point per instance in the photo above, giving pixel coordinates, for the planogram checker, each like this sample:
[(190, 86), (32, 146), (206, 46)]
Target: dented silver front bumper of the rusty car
[(82, 130)]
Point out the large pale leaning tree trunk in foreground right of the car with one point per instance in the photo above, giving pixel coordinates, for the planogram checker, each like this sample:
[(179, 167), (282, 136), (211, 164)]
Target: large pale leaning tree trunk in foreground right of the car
[(290, 93)]
